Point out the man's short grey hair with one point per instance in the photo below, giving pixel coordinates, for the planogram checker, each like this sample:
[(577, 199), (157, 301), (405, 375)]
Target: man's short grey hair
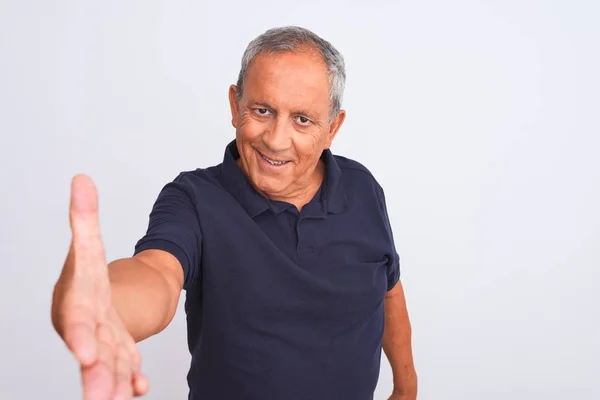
[(294, 39)]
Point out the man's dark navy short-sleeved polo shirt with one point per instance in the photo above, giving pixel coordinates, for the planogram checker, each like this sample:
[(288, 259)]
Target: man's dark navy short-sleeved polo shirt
[(280, 304)]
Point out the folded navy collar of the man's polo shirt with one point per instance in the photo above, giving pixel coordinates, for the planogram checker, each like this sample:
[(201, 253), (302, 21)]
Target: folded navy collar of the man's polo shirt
[(330, 198)]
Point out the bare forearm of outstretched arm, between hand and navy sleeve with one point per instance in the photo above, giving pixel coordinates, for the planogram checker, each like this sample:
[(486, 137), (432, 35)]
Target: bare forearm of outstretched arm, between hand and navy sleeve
[(143, 297)]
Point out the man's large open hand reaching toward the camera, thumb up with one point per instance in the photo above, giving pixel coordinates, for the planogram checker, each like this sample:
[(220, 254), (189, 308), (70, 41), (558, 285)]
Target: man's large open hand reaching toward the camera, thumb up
[(82, 311)]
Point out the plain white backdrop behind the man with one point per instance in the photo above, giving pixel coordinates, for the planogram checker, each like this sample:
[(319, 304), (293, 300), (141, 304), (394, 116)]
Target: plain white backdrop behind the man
[(479, 118)]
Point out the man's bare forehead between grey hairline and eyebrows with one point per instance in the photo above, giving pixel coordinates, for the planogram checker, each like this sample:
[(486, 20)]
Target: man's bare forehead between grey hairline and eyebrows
[(289, 80)]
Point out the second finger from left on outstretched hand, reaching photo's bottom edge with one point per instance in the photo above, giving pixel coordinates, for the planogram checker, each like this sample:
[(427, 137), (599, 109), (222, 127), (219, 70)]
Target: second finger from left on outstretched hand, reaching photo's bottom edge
[(99, 378)]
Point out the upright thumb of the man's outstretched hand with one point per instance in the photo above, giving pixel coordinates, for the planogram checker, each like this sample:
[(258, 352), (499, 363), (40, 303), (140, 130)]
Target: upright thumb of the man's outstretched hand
[(85, 226)]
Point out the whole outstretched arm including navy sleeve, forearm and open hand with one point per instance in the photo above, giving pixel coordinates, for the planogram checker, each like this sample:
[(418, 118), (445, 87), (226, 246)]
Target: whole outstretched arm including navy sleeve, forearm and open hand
[(99, 312)]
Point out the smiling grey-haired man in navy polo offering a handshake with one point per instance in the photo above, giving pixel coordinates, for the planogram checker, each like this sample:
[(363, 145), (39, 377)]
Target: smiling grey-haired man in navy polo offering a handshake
[(285, 252)]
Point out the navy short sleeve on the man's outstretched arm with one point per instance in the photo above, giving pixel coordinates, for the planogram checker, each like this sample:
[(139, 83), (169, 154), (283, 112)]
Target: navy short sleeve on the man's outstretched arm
[(174, 227)]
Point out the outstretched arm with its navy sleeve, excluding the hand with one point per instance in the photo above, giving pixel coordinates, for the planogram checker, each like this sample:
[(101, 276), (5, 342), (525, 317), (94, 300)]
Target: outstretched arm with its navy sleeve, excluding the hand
[(146, 287)]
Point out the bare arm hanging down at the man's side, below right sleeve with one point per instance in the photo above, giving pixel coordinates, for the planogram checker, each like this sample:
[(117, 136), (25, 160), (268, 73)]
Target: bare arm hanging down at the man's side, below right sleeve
[(397, 344)]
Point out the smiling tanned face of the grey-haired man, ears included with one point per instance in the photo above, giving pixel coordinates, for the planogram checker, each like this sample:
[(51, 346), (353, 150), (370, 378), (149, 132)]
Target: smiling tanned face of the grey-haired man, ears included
[(283, 123)]
